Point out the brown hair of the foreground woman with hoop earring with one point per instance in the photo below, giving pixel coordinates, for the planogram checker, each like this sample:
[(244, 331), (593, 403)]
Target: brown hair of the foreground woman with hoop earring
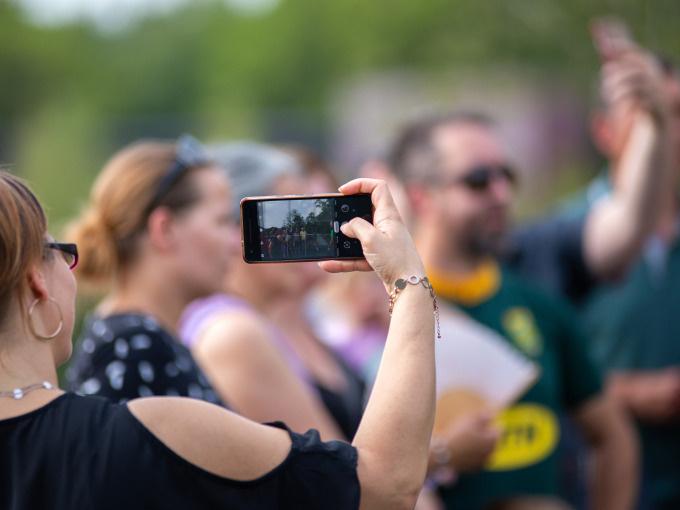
[(23, 227)]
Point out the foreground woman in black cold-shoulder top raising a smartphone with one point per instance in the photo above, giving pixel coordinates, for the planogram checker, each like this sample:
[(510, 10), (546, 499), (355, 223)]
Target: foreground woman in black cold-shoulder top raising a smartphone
[(156, 452)]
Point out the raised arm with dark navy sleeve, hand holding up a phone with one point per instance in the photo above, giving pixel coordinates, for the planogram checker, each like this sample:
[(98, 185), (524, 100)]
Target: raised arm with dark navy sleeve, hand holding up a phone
[(598, 236)]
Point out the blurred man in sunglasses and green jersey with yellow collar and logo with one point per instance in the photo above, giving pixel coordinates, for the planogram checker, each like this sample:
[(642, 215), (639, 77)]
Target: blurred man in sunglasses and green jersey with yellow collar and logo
[(460, 188)]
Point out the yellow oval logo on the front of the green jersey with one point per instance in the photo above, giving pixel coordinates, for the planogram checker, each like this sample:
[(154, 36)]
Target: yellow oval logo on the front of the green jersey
[(529, 434)]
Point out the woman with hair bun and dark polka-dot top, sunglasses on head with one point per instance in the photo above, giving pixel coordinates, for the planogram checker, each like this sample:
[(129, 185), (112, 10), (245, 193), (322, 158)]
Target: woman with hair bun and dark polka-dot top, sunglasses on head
[(156, 234)]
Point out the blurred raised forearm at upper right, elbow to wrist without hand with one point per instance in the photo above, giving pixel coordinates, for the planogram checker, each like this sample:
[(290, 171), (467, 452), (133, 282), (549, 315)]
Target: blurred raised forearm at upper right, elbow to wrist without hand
[(617, 227)]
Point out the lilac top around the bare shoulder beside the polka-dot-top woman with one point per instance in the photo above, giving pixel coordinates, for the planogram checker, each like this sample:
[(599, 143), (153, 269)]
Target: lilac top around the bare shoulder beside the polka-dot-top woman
[(200, 312)]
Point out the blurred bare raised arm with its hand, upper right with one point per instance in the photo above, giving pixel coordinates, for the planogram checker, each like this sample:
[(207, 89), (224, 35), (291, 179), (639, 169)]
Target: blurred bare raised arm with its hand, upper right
[(617, 227)]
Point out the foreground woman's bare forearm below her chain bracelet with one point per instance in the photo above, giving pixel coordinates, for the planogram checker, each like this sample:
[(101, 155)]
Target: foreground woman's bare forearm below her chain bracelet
[(394, 435)]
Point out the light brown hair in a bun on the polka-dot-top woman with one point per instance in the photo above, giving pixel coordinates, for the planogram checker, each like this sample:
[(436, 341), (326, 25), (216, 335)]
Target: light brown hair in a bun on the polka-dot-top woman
[(108, 229)]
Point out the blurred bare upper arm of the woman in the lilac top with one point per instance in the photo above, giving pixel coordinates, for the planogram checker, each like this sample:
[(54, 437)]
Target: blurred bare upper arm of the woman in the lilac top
[(251, 375)]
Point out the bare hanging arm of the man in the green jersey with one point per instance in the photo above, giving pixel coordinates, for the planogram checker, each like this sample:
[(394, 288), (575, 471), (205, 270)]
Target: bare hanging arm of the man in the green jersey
[(612, 439)]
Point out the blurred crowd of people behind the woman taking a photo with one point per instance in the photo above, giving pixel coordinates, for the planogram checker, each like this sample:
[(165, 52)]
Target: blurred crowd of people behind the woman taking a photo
[(588, 294)]
